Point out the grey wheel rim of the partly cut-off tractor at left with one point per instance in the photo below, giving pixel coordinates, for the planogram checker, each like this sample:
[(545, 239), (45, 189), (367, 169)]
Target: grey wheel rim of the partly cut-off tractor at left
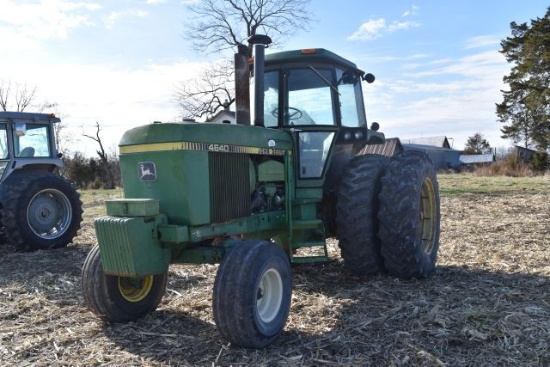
[(49, 213)]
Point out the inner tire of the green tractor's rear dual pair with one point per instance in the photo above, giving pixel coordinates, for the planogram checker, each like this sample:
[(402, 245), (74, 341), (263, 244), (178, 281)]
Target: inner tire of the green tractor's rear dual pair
[(357, 211)]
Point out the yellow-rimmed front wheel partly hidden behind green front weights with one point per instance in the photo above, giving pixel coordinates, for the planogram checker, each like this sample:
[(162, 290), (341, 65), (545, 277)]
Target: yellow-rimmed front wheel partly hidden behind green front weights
[(119, 299)]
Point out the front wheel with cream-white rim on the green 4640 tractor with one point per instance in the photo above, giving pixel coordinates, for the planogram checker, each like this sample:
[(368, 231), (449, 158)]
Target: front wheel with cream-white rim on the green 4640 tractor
[(252, 294)]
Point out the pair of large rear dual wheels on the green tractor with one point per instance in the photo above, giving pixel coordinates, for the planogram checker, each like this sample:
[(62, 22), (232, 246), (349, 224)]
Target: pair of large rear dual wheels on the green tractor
[(388, 215)]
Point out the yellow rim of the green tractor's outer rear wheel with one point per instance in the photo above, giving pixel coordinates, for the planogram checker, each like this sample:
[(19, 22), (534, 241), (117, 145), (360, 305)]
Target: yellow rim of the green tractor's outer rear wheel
[(428, 216)]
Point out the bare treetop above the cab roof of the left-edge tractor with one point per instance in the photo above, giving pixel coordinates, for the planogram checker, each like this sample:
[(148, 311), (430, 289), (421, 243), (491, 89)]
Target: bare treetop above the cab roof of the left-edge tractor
[(20, 98)]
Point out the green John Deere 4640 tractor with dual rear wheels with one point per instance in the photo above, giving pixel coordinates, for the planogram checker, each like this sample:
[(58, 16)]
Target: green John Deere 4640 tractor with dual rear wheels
[(258, 198)]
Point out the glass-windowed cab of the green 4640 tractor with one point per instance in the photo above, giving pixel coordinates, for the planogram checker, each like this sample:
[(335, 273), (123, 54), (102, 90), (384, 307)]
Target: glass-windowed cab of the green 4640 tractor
[(317, 95)]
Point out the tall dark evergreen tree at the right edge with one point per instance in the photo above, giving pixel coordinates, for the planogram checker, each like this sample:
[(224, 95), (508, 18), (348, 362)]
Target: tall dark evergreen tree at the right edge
[(525, 108)]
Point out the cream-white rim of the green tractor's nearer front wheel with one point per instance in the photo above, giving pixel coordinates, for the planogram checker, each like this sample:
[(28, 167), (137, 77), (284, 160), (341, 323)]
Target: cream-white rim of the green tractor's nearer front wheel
[(269, 295)]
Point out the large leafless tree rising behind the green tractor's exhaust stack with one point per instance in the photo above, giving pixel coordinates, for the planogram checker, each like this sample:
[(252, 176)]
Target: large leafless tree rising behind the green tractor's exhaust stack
[(221, 25)]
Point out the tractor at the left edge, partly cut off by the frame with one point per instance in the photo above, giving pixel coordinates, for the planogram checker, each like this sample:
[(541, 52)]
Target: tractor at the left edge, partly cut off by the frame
[(39, 209)]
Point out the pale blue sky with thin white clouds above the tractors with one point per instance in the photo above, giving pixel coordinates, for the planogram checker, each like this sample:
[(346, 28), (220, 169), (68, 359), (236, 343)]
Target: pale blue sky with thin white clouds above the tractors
[(120, 63)]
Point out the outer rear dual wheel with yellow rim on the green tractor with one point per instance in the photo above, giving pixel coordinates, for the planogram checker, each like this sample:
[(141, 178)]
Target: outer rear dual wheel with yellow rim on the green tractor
[(409, 216)]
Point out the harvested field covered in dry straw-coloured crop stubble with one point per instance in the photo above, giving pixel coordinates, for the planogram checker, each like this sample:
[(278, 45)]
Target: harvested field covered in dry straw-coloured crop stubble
[(488, 303)]
